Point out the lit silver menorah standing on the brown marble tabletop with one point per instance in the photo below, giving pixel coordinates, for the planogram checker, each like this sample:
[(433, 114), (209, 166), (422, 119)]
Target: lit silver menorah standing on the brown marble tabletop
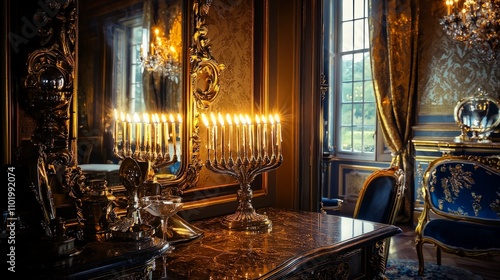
[(253, 149)]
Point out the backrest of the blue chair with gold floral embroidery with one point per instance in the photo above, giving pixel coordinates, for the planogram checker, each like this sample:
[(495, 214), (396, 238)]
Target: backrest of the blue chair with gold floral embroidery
[(464, 188)]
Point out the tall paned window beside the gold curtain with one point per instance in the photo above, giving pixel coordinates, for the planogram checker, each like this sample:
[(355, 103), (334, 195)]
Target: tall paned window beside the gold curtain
[(350, 108)]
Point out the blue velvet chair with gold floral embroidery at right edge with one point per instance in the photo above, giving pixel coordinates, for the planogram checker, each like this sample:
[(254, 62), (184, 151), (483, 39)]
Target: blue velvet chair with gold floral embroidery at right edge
[(461, 213)]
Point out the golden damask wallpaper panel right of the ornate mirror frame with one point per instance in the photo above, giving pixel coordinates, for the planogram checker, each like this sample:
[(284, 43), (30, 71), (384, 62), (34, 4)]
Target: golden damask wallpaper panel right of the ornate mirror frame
[(230, 30)]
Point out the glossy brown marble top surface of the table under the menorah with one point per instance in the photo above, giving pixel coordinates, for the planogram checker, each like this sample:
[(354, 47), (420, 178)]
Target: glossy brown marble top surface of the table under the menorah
[(295, 236)]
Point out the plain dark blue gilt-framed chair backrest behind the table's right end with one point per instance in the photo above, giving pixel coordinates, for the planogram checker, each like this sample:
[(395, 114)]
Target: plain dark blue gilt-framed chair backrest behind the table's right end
[(381, 195)]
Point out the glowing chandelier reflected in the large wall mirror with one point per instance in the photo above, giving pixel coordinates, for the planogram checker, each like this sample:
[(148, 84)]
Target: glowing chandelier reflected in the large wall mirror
[(162, 56)]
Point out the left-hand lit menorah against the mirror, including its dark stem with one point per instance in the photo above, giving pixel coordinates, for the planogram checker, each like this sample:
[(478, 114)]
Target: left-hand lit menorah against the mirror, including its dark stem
[(143, 145)]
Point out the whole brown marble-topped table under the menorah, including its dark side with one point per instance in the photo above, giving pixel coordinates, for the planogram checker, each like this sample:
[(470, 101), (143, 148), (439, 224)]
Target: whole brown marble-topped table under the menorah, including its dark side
[(300, 245)]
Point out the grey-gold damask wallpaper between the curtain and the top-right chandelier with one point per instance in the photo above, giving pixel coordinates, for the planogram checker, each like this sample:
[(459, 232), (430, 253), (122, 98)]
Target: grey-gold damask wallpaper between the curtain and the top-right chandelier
[(448, 70)]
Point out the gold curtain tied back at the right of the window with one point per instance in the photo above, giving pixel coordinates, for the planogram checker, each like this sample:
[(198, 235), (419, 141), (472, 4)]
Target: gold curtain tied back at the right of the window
[(393, 34)]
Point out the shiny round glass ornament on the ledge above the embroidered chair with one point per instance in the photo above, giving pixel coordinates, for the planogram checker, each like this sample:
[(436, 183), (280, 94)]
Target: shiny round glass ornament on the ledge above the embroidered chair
[(477, 117)]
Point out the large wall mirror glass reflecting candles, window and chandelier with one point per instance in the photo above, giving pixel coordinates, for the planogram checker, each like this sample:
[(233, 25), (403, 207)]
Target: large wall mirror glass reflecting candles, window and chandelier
[(132, 63)]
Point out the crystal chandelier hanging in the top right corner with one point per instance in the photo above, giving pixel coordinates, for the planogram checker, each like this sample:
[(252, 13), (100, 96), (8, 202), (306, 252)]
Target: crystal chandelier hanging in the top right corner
[(476, 23)]
